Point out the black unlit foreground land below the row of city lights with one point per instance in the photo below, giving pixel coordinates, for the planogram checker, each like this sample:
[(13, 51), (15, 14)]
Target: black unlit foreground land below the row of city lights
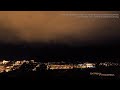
[(56, 75)]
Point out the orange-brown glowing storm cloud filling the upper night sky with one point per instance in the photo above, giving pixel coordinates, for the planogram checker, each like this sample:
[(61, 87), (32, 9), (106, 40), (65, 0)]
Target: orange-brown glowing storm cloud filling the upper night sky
[(53, 26)]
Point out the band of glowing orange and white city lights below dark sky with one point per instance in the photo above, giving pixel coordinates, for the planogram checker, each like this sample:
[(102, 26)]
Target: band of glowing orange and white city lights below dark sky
[(6, 66)]
